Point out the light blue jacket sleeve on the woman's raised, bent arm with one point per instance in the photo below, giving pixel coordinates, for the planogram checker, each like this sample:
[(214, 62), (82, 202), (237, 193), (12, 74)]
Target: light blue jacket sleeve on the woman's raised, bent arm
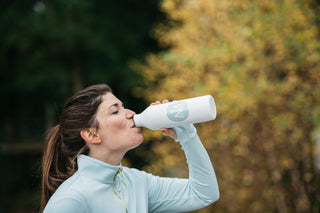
[(180, 195)]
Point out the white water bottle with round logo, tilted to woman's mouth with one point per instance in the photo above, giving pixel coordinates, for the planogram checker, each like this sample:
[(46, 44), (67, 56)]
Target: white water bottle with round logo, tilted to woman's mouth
[(177, 113)]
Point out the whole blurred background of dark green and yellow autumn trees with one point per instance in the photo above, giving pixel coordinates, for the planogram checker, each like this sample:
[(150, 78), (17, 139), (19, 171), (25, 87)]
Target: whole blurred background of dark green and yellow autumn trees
[(260, 60)]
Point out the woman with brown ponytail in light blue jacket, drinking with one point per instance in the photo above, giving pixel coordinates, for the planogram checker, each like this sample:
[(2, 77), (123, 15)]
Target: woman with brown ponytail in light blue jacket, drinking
[(82, 169)]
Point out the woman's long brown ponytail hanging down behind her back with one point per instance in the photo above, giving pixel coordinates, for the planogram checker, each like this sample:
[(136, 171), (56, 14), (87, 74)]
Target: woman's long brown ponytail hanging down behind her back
[(54, 169)]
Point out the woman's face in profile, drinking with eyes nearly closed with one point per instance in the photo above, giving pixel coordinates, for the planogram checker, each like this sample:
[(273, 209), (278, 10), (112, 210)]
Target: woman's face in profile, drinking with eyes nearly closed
[(116, 126)]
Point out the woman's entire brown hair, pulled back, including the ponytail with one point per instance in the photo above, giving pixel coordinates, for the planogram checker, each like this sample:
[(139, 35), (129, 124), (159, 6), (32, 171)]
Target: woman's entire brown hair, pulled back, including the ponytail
[(64, 143)]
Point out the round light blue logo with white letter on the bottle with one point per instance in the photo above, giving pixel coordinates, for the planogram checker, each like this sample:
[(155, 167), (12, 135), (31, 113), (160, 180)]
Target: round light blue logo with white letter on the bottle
[(178, 111)]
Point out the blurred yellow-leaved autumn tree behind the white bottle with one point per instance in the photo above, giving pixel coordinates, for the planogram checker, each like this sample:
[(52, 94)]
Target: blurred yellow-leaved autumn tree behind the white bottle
[(260, 60)]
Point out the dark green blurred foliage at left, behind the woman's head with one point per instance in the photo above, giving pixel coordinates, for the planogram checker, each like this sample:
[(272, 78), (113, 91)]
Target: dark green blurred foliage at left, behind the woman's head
[(49, 50)]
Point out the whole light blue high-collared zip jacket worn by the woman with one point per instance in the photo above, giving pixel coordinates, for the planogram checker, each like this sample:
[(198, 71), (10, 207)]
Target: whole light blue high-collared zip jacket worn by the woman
[(98, 187)]
